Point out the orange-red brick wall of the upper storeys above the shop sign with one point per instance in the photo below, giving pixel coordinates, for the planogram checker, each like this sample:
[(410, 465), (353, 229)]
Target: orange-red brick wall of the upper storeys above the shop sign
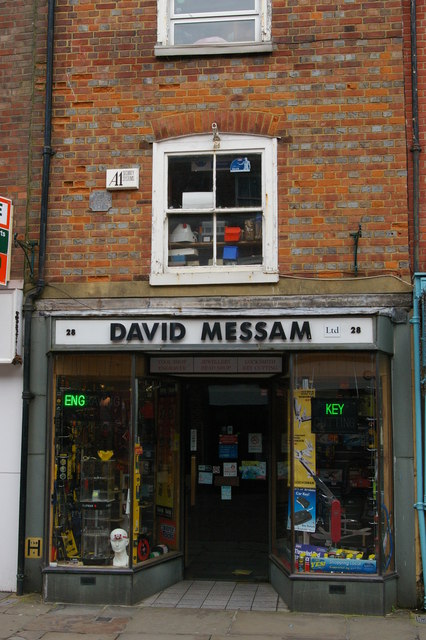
[(333, 90)]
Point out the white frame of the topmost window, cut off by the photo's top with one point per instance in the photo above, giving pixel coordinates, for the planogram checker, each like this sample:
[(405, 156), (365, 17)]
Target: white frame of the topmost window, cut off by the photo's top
[(166, 47)]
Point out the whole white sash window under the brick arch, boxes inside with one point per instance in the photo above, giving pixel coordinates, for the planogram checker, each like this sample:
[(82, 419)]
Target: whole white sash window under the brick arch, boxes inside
[(214, 210)]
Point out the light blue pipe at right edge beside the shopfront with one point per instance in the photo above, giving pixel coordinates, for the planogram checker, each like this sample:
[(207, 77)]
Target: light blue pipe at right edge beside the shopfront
[(419, 289)]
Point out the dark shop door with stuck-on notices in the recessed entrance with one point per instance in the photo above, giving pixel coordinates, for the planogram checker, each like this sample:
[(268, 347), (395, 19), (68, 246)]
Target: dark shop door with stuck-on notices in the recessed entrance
[(227, 460)]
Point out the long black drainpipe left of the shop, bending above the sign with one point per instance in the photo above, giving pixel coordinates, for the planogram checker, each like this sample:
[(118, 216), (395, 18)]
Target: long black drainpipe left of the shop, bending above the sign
[(32, 296)]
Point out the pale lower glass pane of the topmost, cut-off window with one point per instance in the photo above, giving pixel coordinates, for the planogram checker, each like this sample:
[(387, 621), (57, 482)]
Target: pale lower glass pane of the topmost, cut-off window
[(214, 32)]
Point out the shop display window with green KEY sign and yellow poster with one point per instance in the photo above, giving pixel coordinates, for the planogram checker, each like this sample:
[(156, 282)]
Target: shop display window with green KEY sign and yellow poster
[(333, 512)]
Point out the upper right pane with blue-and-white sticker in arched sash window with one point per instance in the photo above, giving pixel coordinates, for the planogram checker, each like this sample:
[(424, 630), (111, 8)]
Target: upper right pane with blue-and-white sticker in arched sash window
[(238, 180)]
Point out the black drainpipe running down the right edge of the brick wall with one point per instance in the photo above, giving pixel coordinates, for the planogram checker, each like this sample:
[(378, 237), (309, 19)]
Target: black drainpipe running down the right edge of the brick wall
[(416, 149)]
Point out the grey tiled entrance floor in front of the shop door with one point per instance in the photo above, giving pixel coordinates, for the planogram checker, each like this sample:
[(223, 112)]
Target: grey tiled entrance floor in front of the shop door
[(206, 594)]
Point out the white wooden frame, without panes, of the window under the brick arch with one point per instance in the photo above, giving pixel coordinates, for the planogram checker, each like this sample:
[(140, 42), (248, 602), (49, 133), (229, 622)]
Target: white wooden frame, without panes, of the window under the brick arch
[(161, 272)]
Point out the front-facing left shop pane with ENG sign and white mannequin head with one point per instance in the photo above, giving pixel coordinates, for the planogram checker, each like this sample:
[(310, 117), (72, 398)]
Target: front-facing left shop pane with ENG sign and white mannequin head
[(91, 479)]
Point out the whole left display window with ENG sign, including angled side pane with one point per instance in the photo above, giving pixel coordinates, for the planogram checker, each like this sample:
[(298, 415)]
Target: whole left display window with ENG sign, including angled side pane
[(115, 464)]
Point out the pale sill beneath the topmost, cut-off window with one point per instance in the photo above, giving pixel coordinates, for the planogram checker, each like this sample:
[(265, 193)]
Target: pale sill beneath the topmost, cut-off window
[(161, 50)]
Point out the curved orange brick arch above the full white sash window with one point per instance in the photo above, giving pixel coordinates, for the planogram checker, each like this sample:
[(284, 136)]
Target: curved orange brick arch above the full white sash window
[(228, 121)]
